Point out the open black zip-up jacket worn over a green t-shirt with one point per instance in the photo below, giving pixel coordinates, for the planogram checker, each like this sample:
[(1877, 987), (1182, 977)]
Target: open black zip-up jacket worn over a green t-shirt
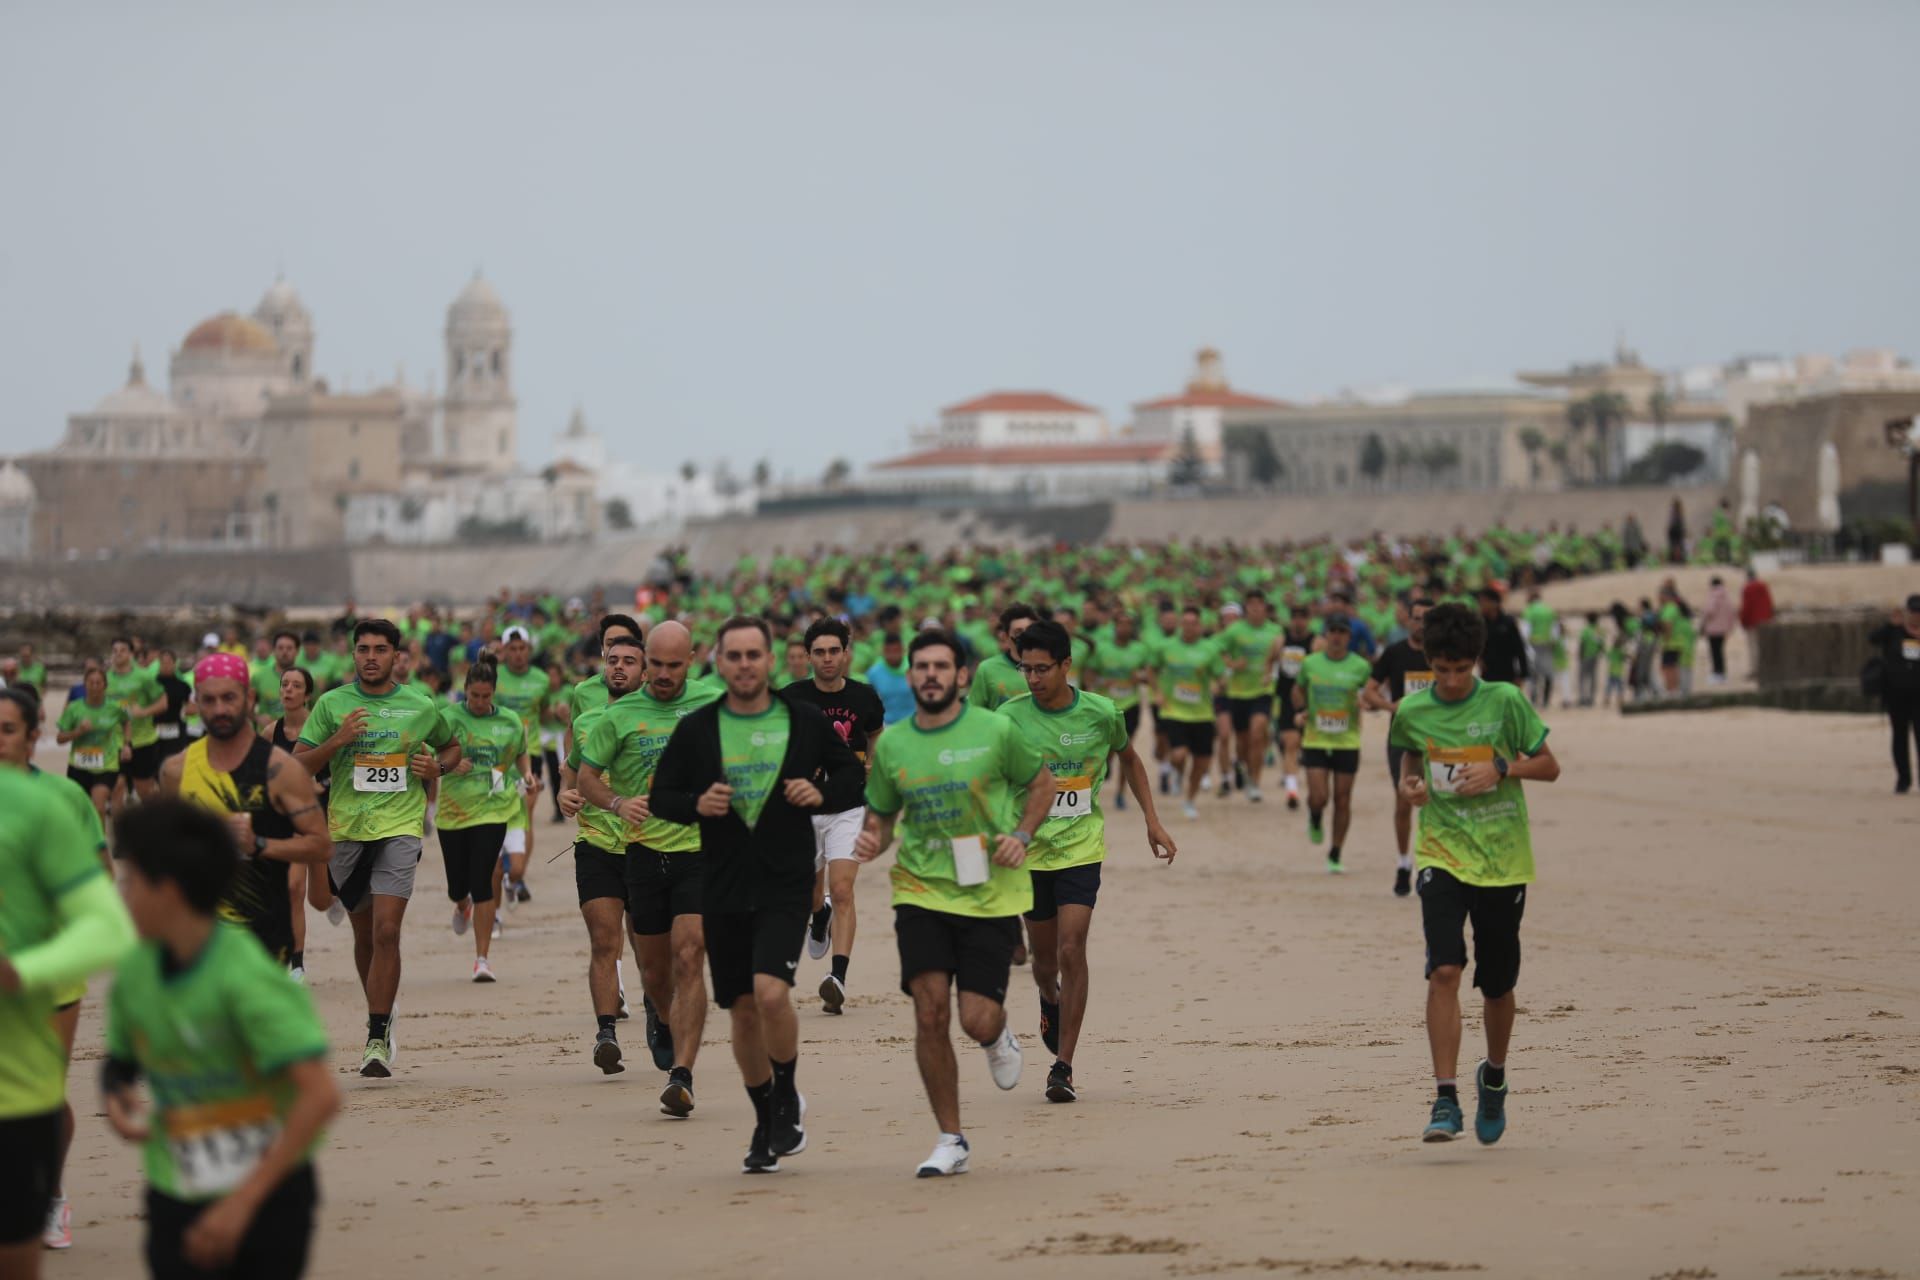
[(773, 863)]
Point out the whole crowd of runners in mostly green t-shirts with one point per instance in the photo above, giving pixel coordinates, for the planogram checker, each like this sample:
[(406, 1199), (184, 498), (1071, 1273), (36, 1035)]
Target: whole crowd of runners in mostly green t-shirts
[(729, 753)]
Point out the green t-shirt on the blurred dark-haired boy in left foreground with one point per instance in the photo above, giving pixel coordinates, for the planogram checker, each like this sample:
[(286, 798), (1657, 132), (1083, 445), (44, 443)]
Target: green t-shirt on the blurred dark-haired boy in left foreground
[(214, 1043)]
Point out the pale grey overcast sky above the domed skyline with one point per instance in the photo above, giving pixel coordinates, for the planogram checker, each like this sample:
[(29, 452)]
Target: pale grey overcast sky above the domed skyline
[(798, 229)]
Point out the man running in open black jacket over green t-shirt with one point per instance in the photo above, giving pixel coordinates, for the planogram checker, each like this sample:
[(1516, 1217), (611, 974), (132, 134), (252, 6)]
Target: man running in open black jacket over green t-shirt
[(754, 770)]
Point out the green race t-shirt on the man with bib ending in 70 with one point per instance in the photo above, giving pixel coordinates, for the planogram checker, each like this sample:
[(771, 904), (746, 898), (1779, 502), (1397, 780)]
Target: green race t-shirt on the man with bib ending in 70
[(1074, 744)]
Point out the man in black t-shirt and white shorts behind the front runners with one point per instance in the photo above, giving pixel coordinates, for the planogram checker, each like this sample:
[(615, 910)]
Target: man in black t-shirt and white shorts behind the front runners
[(857, 715)]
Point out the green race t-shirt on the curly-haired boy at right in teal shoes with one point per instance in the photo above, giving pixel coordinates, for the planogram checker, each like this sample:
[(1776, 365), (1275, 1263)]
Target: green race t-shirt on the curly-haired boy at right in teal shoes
[(1477, 840)]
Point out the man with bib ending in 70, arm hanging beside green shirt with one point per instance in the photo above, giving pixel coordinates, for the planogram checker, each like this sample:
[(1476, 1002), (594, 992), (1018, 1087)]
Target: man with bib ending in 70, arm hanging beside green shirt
[(1076, 734)]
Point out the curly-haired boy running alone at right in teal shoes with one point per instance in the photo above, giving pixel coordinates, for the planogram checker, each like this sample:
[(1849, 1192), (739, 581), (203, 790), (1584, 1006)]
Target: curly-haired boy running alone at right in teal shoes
[(1470, 746)]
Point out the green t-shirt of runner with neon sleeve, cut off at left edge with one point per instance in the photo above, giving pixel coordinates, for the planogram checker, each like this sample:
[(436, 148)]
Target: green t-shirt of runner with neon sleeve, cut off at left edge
[(45, 853)]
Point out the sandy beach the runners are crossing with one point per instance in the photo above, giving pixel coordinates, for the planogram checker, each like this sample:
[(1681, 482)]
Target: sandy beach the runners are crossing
[(1716, 1072)]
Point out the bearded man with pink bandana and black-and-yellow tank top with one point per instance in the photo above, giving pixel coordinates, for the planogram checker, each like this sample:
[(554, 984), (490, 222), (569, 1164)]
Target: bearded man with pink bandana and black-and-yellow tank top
[(270, 805)]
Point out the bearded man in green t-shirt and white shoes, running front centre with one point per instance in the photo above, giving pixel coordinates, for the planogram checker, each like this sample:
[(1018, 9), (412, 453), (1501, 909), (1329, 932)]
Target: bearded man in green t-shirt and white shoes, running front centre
[(949, 780)]
